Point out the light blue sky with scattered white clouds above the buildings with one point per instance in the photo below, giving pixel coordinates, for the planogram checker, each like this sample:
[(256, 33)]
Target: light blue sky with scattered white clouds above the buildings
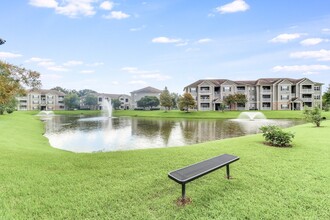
[(123, 45)]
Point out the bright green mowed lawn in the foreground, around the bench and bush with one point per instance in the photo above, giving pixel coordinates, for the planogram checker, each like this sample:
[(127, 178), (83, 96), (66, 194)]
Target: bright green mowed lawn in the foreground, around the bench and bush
[(40, 182)]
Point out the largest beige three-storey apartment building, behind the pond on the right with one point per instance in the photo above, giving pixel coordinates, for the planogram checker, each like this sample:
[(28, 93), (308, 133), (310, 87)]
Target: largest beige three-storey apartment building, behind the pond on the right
[(261, 94)]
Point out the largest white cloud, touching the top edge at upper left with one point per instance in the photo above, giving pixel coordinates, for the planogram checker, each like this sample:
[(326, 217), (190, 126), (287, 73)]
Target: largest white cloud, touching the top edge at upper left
[(70, 8)]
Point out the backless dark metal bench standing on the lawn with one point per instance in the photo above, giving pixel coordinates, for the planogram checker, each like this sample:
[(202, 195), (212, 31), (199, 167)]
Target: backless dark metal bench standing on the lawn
[(192, 172)]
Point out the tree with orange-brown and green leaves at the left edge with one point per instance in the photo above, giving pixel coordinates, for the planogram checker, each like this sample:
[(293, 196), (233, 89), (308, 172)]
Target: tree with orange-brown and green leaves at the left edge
[(12, 80)]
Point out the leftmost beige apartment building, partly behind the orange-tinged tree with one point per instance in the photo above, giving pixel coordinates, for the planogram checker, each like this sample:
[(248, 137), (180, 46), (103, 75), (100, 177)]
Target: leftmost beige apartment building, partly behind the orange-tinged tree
[(41, 99)]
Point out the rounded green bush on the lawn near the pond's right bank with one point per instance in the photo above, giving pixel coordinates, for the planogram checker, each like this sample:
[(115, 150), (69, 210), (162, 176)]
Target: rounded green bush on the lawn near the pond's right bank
[(275, 136)]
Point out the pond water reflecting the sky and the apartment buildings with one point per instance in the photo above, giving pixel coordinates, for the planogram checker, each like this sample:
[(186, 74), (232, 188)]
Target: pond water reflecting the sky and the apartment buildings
[(101, 134)]
